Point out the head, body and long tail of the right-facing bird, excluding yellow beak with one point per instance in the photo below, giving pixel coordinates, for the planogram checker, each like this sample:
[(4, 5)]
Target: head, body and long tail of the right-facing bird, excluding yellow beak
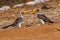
[(18, 21)]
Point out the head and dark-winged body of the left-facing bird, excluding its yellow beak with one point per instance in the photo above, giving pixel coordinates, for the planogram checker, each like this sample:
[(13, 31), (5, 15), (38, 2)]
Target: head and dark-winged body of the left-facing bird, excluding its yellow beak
[(43, 18)]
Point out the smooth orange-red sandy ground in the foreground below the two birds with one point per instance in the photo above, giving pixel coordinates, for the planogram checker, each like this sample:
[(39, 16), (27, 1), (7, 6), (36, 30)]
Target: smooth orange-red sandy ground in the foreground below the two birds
[(44, 32)]
